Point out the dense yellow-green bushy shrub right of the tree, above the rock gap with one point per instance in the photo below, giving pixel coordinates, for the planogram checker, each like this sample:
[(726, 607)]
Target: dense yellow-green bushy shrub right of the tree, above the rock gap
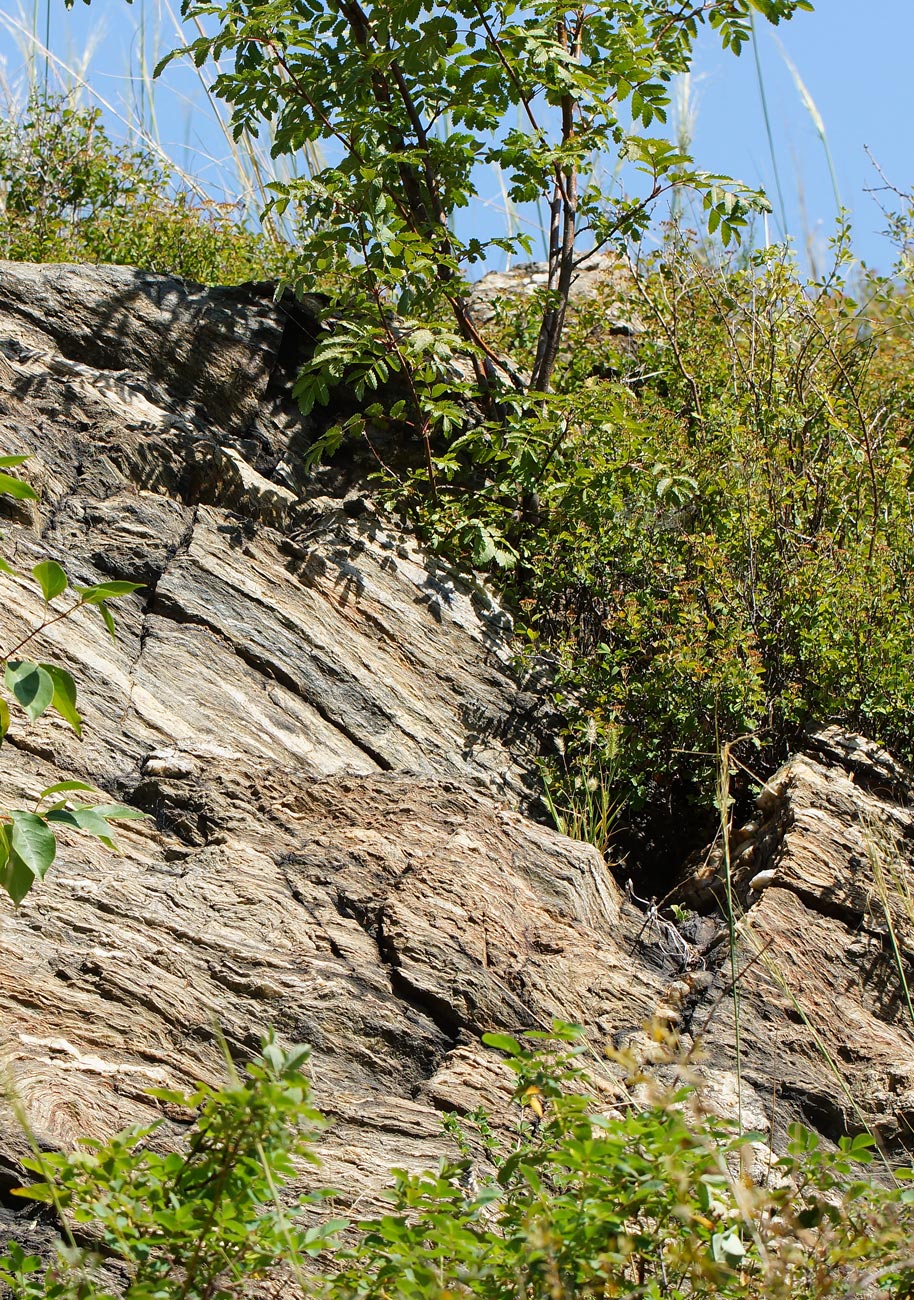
[(711, 525)]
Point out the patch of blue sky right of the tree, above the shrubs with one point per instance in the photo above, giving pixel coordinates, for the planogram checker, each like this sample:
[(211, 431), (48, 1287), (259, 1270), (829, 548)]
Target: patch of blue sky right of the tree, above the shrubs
[(856, 59)]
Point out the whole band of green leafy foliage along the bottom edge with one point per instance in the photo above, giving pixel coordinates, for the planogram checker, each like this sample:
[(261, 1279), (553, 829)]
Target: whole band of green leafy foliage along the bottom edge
[(571, 1201)]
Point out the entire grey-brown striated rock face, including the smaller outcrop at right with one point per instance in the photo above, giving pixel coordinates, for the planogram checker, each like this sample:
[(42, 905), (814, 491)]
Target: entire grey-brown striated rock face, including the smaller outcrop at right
[(337, 756)]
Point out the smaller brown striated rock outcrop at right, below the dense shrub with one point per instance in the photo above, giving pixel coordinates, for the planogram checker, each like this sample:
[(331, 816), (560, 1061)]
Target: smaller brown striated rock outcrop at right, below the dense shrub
[(824, 881)]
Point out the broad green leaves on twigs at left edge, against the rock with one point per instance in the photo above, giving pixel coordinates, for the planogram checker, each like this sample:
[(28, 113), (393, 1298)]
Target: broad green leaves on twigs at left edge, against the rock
[(29, 838)]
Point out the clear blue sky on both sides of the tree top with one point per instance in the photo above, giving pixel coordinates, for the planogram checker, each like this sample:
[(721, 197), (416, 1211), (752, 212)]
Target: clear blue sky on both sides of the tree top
[(856, 59)]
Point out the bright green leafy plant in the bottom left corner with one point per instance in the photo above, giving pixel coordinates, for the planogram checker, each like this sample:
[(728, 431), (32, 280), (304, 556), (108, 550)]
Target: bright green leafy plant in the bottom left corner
[(200, 1224)]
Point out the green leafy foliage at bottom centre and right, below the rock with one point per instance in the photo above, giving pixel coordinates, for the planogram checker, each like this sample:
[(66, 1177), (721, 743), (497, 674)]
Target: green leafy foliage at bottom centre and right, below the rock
[(646, 1202)]
